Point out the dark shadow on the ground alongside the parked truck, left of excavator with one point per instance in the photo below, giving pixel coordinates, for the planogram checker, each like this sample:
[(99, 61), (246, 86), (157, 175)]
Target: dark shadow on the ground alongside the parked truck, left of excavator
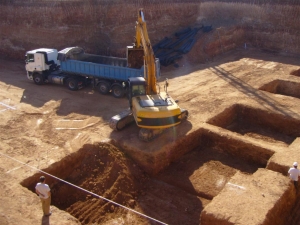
[(86, 101)]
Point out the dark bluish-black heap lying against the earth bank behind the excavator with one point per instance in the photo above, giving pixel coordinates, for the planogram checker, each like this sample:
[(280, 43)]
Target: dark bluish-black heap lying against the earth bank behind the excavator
[(170, 49)]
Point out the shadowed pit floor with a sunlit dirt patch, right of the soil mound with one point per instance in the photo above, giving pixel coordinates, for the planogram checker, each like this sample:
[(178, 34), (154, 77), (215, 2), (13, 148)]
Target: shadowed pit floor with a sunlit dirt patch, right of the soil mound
[(205, 171)]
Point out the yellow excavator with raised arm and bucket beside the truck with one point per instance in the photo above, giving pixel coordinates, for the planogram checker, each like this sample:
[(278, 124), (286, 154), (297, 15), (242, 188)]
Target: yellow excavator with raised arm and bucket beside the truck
[(152, 110)]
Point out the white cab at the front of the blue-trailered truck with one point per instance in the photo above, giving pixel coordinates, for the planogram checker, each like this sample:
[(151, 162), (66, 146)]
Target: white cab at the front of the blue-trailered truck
[(41, 59)]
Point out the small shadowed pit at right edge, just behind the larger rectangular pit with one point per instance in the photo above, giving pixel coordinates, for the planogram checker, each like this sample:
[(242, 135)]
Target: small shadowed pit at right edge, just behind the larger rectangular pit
[(283, 87)]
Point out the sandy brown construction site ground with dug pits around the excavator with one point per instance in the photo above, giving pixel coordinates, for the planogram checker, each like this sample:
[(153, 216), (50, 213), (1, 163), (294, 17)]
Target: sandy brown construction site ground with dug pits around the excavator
[(227, 164)]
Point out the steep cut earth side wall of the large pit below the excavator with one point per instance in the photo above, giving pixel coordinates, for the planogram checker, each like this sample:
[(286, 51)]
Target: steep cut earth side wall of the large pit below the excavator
[(160, 158)]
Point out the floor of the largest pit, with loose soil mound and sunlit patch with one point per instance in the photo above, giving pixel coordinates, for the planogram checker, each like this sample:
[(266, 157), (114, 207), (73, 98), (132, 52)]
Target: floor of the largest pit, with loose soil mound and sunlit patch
[(104, 170)]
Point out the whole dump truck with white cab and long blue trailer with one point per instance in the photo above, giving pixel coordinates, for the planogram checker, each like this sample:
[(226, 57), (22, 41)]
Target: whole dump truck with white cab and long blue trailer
[(76, 69)]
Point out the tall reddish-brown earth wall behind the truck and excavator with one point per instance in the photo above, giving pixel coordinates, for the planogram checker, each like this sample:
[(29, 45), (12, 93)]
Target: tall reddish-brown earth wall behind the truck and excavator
[(107, 27)]
